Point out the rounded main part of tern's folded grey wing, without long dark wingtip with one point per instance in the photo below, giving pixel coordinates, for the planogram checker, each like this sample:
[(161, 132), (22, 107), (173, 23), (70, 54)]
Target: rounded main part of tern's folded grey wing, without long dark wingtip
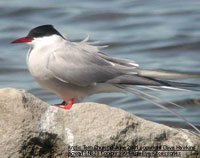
[(78, 66)]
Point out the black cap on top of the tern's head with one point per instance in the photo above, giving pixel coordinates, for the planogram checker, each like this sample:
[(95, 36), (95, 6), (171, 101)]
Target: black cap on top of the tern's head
[(44, 30)]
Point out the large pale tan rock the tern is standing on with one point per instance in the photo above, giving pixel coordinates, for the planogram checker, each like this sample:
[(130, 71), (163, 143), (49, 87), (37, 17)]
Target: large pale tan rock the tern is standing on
[(32, 128)]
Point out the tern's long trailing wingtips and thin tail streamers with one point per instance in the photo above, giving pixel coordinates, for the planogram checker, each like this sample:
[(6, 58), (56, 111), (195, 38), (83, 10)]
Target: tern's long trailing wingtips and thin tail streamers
[(156, 79)]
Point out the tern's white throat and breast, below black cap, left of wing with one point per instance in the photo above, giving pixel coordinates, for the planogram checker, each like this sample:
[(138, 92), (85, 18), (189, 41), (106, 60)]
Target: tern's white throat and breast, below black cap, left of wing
[(37, 58)]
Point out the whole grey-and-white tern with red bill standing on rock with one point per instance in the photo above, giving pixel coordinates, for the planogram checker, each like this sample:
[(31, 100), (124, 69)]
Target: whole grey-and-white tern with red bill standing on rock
[(74, 70)]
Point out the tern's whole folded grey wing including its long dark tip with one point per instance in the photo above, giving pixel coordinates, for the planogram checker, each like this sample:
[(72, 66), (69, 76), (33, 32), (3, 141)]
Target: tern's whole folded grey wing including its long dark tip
[(75, 65)]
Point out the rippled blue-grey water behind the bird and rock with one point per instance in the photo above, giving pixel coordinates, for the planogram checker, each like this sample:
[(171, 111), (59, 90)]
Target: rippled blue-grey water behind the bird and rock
[(156, 34)]
